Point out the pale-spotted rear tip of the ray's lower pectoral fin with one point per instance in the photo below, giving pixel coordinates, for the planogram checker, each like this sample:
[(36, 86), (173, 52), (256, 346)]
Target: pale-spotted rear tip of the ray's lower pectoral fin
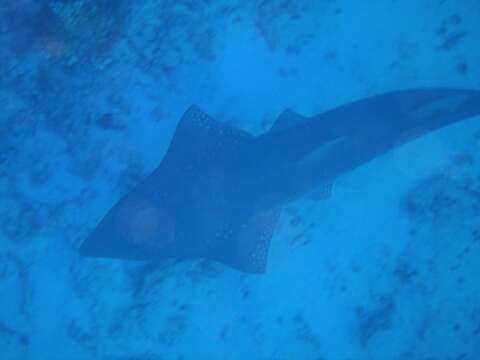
[(253, 241)]
